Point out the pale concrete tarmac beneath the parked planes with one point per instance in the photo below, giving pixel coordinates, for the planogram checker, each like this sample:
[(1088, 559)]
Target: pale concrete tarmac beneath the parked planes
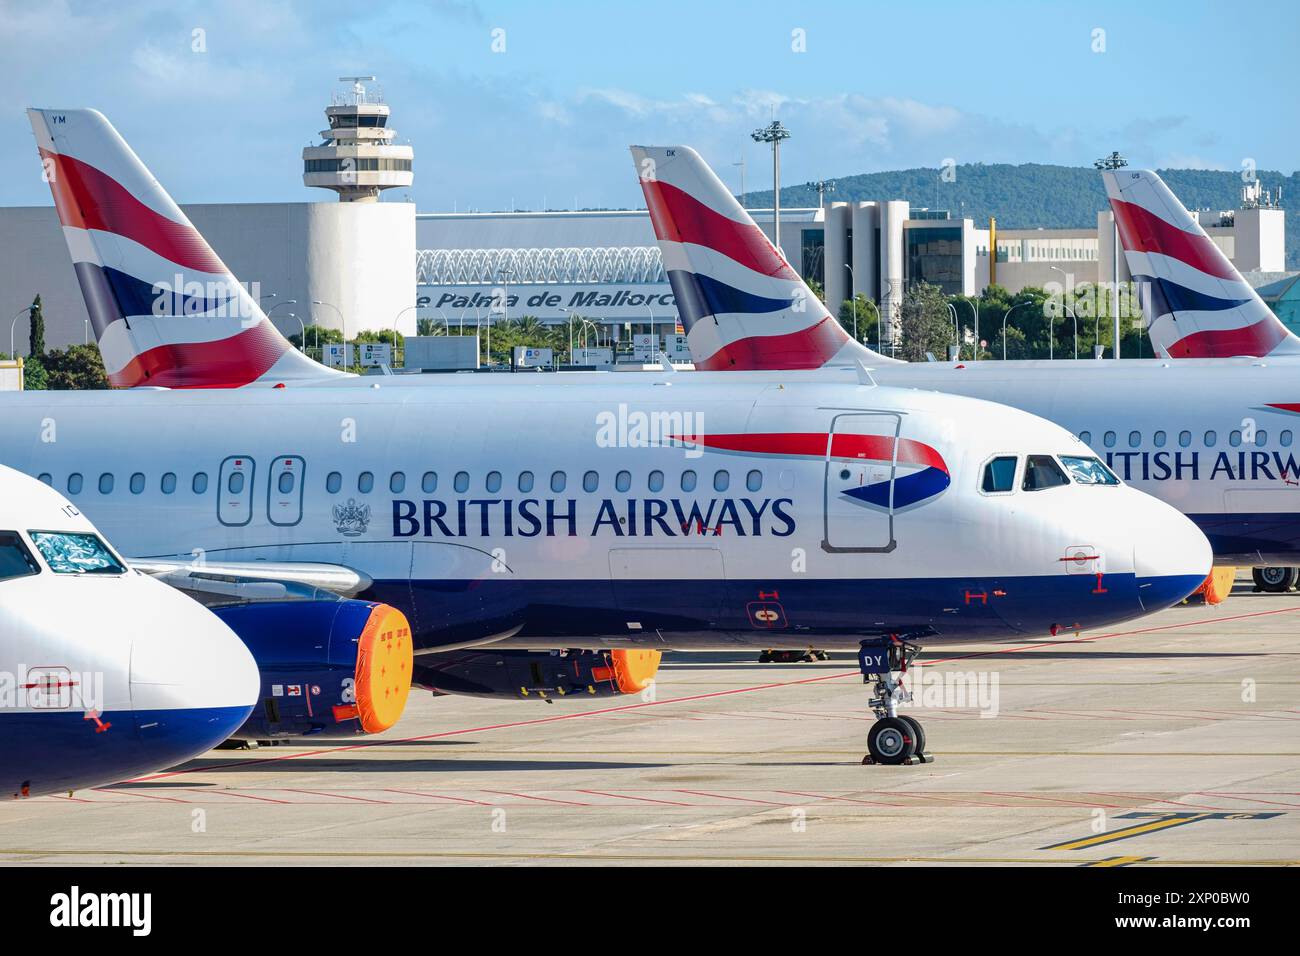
[(1176, 742)]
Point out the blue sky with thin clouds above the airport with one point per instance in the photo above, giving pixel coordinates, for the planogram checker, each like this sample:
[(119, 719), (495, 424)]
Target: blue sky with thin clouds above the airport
[(878, 86)]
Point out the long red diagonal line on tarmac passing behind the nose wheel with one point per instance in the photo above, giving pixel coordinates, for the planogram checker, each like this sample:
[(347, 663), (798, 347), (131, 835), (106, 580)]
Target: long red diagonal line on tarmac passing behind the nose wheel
[(703, 697)]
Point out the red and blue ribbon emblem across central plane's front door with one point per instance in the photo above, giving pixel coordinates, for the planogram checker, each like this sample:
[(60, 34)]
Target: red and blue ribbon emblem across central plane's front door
[(920, 471)]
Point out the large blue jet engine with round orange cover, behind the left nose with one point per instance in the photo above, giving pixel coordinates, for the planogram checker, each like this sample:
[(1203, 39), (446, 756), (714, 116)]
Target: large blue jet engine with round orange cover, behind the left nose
[(328, 668)]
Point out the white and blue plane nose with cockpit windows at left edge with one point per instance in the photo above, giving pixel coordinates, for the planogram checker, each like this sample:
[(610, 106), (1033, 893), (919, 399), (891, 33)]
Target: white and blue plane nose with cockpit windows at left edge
[(105, 673)]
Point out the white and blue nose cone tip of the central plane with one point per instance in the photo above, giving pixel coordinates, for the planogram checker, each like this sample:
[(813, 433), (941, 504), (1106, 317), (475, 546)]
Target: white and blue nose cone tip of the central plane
[(1172, 557)]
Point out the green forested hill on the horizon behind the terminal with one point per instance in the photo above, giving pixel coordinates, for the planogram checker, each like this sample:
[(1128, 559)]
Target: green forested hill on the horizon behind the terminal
[(1033, 194)]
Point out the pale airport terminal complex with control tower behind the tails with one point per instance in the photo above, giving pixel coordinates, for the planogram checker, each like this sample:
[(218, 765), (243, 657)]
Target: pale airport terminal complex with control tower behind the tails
[(361, 263)]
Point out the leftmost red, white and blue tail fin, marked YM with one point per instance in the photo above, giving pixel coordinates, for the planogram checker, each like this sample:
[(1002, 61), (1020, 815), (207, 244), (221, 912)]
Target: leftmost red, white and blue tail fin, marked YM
[(167, 312)]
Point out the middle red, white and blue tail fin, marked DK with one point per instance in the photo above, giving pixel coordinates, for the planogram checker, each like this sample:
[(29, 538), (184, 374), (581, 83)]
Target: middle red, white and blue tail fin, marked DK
[(742, 304)]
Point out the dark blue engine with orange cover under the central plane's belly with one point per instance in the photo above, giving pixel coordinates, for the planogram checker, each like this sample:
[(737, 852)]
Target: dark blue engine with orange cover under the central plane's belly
[(538, 674)]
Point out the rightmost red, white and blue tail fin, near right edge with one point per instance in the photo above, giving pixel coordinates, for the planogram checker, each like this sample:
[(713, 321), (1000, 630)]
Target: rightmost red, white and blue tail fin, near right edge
[(1197, 302)]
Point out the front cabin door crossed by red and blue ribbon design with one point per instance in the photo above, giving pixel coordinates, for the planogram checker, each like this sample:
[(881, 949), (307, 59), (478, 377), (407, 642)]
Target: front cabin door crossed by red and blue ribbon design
[(861, 468)]
